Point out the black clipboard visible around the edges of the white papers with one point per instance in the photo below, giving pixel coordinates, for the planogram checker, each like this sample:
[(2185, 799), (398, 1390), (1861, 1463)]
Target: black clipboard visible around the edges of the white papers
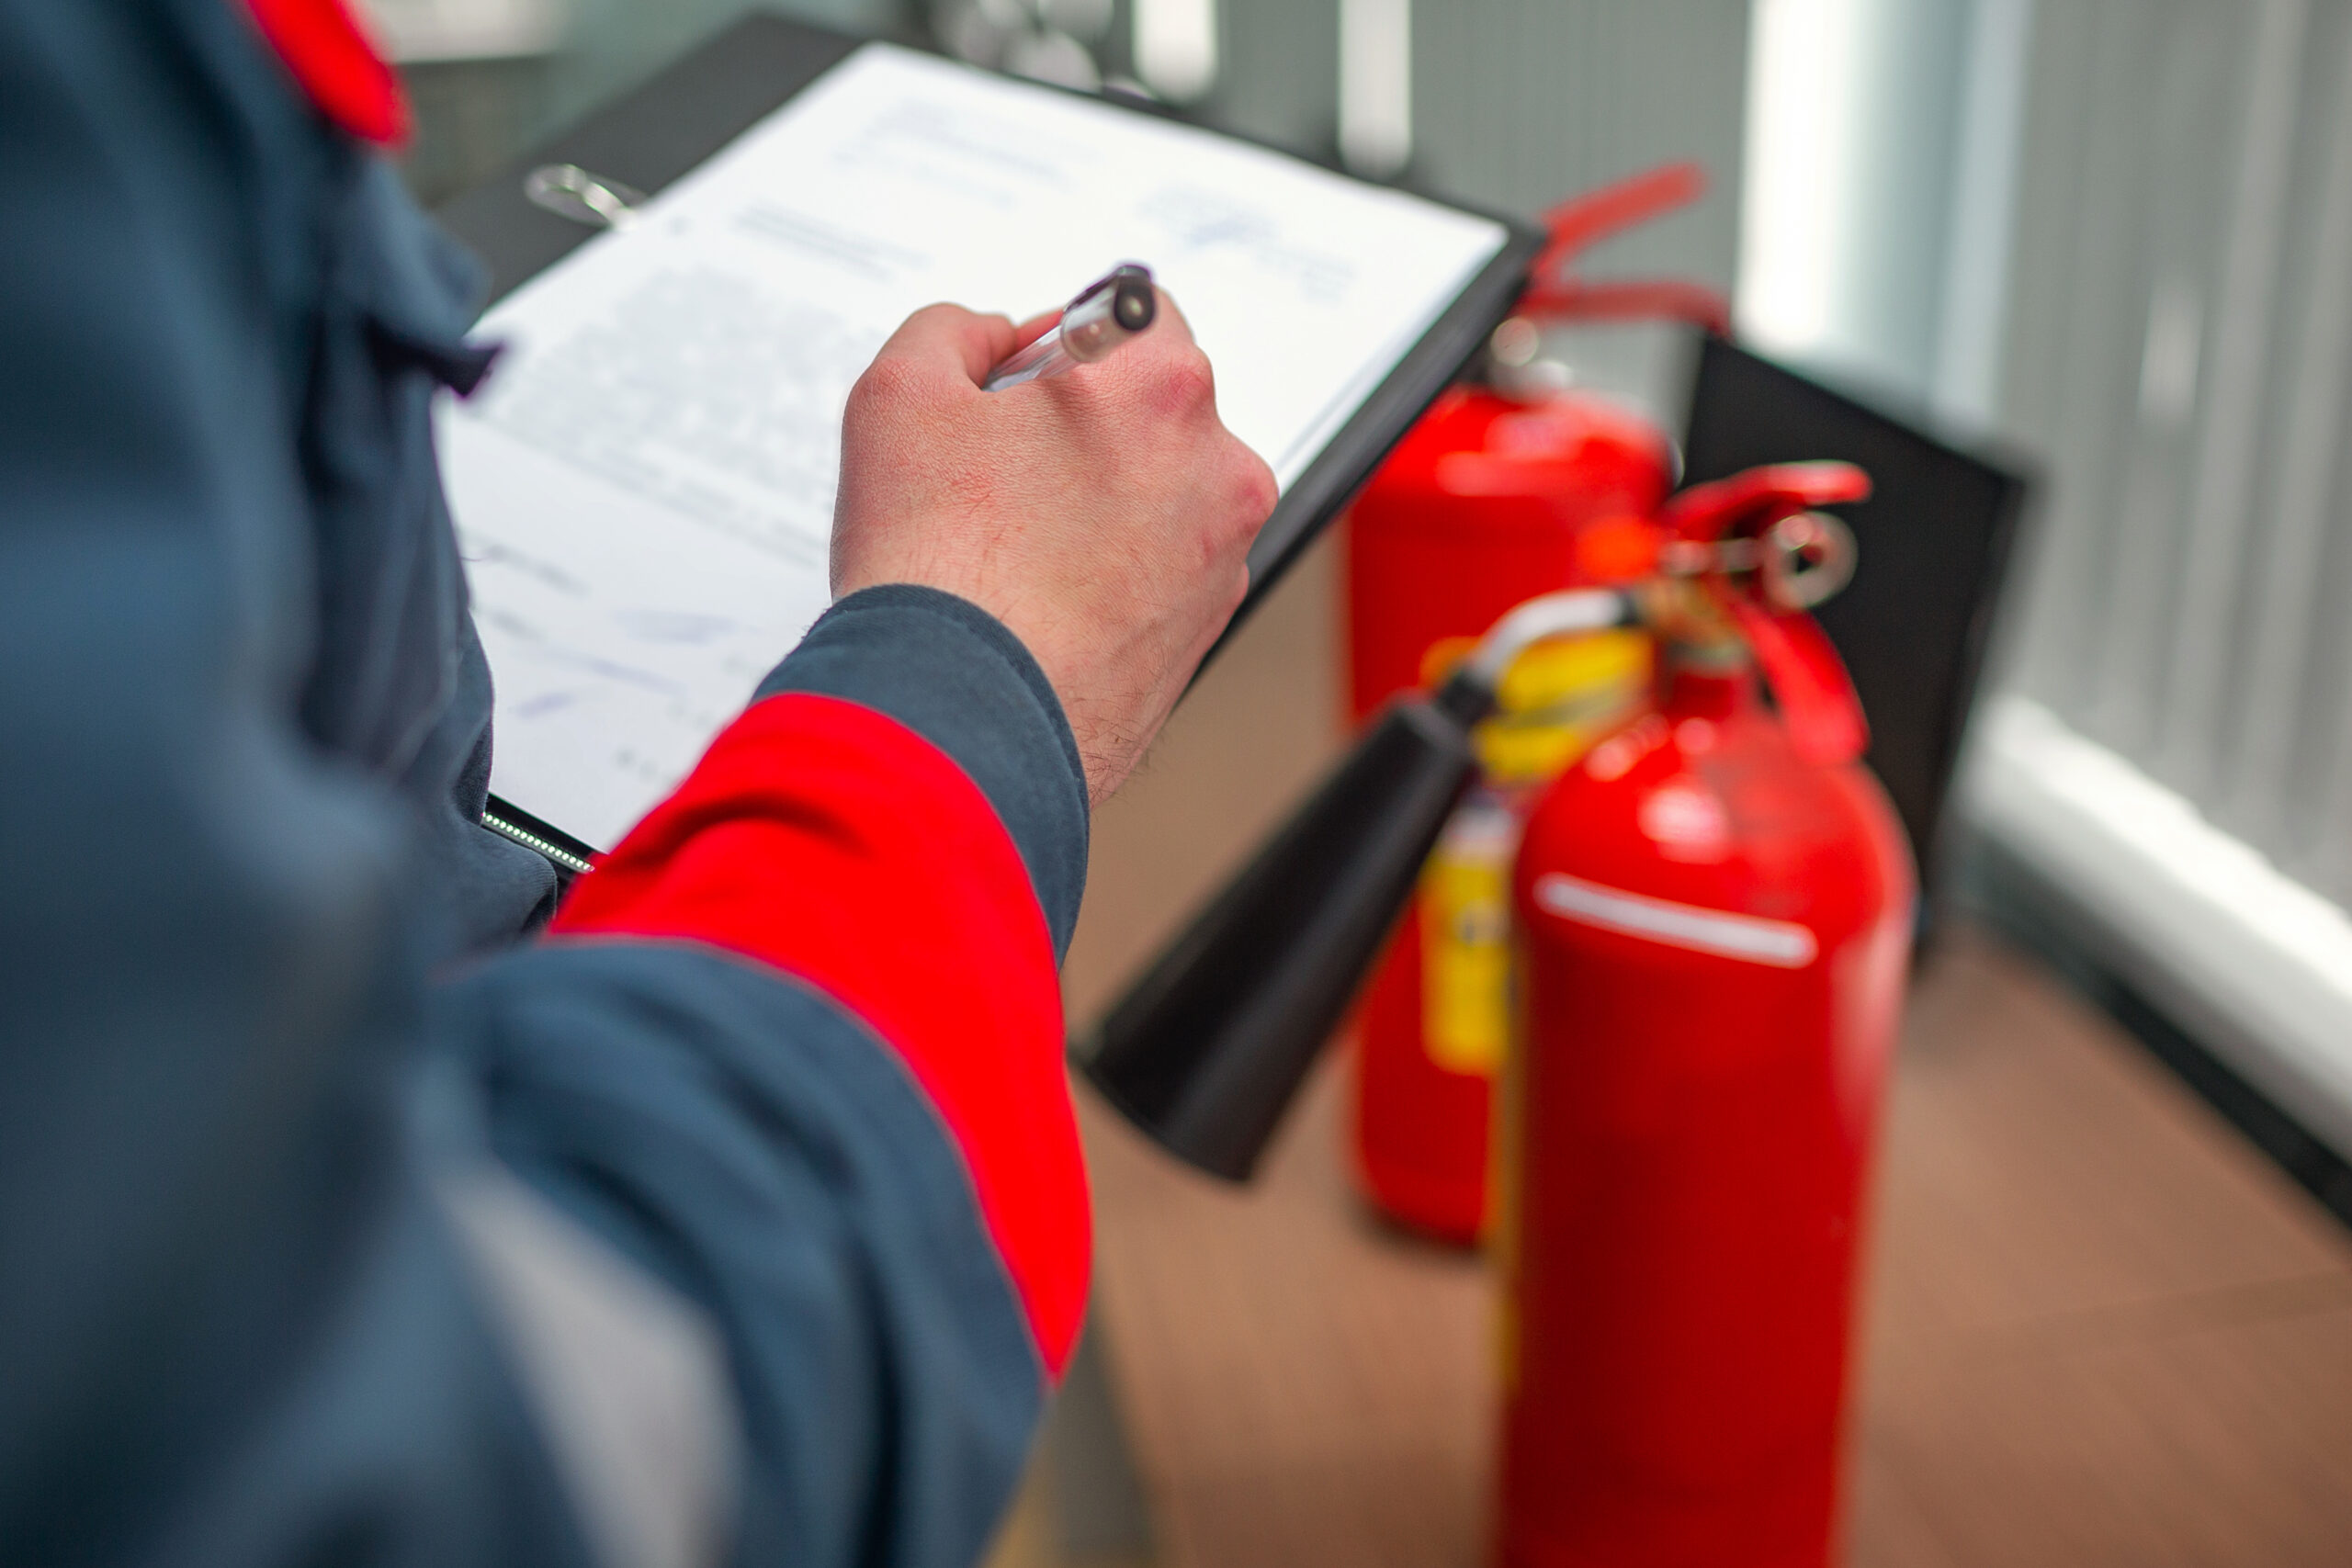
[(700, 105)]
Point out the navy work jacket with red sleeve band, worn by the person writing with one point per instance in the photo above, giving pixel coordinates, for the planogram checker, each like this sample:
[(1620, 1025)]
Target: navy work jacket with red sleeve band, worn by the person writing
[(345, 1212)]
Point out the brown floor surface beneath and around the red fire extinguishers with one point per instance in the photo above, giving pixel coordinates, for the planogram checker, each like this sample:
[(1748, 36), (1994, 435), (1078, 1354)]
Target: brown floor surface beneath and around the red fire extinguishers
[(2102, 1329)]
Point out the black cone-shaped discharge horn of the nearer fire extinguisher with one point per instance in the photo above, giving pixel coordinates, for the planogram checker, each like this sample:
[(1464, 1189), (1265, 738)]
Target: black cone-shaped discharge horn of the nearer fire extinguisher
[(1210, 1045)]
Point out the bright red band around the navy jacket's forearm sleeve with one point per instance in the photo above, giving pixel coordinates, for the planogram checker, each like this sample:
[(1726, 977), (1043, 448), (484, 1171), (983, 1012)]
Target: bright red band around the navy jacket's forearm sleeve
[(834, 843)]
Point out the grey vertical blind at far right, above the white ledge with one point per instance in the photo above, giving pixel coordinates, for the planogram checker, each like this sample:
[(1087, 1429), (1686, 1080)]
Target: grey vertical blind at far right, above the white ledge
[(2179, 351)]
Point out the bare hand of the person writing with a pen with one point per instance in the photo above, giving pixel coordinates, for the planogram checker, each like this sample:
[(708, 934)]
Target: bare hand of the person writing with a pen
[(1104, 516)]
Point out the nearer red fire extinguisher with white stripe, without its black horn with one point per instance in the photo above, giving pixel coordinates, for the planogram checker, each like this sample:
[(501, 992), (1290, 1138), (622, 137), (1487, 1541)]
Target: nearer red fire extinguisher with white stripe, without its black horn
[(1713, 916)]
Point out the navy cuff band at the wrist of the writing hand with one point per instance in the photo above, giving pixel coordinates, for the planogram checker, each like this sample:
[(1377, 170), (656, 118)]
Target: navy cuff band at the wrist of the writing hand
[(961, 681)]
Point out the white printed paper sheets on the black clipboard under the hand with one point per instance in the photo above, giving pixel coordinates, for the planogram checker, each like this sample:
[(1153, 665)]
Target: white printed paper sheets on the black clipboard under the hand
[(643, 490)]
